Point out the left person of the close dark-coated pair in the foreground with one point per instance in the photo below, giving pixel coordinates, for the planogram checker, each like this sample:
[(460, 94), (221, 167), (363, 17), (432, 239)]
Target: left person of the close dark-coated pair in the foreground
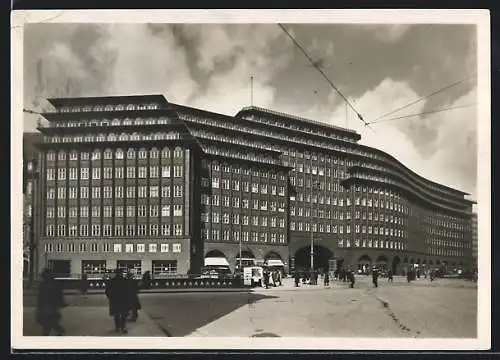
[(120, 300)]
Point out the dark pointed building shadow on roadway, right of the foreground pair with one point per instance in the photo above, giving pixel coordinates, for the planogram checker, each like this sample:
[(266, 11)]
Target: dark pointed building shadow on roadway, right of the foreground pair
[(180, 315)]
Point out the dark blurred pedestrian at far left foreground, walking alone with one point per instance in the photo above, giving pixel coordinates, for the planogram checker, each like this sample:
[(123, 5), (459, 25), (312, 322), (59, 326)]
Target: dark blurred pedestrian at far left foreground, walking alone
[(50, 300)]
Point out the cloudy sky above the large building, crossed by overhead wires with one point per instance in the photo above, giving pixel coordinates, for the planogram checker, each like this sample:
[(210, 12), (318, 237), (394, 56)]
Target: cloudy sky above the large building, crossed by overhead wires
[(379, 67)]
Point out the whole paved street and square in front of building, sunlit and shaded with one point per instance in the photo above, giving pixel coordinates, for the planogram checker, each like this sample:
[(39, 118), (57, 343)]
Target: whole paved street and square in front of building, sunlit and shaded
[(444, 308)]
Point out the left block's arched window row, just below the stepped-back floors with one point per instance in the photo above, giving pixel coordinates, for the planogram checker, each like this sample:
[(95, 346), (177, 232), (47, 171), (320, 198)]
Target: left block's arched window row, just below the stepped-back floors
[(108, 154)]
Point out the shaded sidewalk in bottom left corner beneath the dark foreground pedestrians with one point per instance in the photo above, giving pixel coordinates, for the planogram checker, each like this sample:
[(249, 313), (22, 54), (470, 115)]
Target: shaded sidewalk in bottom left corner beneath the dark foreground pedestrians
[(91, 321)]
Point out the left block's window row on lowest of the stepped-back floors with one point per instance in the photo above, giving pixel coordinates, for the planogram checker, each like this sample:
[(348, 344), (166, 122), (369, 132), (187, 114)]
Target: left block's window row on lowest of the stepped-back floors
[(171, 135)]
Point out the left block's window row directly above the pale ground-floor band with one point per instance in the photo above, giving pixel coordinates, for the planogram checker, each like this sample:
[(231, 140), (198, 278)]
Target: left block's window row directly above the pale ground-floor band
[(107, 230)]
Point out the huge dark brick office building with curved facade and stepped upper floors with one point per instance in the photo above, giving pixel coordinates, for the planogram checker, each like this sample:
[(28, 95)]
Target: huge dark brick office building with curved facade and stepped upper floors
[(138, 182)]
